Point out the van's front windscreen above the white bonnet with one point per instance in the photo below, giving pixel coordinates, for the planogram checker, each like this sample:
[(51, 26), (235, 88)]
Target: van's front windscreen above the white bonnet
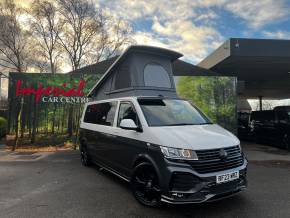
[(171, 112)]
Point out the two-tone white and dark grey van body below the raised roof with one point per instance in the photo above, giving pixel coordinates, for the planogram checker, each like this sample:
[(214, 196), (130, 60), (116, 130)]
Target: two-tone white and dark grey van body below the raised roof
[(168, 149)]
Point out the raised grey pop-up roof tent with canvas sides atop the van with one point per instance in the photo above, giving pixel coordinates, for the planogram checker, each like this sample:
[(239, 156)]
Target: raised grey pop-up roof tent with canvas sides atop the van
[(139, 71)]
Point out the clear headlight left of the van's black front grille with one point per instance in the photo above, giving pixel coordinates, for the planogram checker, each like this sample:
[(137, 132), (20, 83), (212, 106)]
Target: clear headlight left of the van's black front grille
[(177, 153)]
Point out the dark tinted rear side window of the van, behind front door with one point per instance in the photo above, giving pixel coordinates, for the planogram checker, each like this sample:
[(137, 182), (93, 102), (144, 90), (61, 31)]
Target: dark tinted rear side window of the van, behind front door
[(102, 114)]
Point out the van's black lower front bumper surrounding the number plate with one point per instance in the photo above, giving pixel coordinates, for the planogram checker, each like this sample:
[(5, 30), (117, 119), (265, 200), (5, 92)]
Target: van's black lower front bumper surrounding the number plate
[(191, 187)]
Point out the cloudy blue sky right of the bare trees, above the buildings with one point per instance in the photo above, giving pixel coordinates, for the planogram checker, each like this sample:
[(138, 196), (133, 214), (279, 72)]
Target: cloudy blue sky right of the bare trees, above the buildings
[(197, 27)]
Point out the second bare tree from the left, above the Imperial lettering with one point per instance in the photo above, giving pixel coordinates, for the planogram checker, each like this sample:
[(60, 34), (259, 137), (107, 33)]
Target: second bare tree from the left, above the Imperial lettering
[(46, 26)]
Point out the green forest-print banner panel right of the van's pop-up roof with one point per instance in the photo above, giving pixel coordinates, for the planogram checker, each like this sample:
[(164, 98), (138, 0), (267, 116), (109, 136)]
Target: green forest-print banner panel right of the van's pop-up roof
[(215, 96)]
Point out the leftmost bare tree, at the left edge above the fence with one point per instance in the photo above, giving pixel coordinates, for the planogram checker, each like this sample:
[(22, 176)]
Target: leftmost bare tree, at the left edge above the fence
[(14, 41)]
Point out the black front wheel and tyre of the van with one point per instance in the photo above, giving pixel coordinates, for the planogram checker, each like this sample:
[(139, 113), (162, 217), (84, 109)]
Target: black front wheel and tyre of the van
[(145, 185)]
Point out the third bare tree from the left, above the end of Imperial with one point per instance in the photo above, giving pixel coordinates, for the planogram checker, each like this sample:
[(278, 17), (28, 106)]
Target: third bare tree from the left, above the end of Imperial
[(81, 23)]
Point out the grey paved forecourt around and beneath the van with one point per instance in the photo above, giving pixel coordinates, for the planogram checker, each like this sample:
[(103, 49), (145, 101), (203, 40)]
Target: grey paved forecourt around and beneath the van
[(58, 186)]
